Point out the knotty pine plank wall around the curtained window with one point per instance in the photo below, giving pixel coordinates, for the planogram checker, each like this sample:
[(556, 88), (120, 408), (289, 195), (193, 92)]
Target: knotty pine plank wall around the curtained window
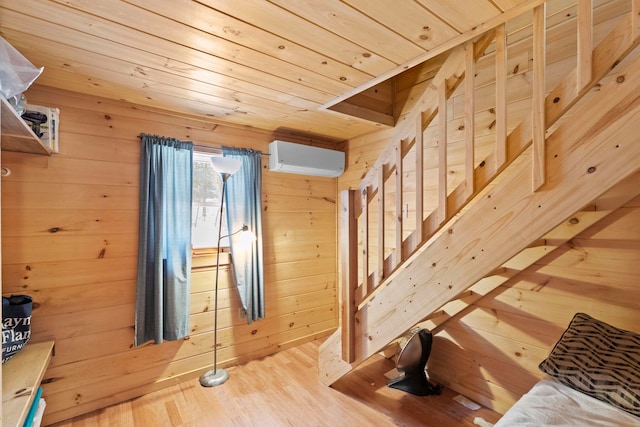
[(69, 239)]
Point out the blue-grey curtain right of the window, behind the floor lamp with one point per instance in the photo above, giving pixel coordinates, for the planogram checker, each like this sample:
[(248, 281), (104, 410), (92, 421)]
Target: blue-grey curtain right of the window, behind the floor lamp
[(244, 207)]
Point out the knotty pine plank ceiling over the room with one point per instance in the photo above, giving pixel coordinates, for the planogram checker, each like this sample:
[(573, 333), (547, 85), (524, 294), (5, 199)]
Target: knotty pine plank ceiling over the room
[(266, 64)]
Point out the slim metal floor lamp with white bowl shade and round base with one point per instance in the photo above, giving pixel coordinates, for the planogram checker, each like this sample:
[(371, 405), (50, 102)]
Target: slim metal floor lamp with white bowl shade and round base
[(226, 167)]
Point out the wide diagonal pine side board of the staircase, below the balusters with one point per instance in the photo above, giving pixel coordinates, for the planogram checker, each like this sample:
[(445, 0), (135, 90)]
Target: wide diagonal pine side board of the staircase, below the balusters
[(583, 161)]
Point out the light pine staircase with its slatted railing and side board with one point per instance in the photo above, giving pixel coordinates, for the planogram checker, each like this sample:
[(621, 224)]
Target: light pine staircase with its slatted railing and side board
[(546, 180)]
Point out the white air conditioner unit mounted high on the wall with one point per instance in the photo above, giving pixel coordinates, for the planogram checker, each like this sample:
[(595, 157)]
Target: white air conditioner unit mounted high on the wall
[(305, 160)]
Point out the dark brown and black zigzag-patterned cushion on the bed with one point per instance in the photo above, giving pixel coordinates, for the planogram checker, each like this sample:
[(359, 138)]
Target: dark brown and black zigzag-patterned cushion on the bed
[(599, 360)]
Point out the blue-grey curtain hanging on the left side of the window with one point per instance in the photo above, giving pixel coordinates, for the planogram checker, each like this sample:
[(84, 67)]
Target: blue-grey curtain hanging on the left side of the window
[(164, 241)]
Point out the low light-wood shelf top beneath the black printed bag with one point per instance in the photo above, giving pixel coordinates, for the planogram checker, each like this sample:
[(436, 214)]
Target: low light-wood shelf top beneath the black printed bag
[(21, 377)]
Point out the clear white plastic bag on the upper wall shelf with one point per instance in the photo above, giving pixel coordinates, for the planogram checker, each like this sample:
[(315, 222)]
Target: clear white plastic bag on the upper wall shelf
[(16, 72)]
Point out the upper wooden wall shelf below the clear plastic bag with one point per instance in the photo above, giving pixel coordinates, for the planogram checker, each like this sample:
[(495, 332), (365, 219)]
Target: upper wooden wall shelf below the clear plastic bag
[(16, 134)]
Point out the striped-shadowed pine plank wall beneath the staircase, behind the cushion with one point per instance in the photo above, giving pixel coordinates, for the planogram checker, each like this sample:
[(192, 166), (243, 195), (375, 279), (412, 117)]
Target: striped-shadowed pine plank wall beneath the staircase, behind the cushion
[(491, 352)]
